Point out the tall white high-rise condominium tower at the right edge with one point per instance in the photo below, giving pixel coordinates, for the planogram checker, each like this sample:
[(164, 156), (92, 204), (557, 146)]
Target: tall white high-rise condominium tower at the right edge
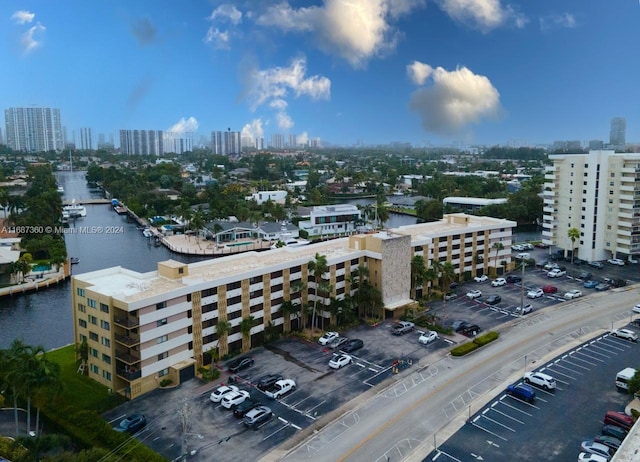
[(598, 194)]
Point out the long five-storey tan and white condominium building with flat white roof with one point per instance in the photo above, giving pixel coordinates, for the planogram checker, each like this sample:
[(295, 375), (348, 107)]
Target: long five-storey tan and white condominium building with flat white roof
[(142, 328)]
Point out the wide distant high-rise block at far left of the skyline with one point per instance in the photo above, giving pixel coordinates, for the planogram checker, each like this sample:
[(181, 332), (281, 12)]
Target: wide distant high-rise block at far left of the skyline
[(33, 129)]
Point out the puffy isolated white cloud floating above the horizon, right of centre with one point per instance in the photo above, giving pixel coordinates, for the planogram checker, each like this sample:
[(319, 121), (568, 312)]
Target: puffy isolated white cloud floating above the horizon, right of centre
[(453, 100)]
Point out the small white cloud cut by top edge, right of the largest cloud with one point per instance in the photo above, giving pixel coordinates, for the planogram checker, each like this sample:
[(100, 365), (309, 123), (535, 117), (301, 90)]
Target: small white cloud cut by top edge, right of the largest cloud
[(484, 15)]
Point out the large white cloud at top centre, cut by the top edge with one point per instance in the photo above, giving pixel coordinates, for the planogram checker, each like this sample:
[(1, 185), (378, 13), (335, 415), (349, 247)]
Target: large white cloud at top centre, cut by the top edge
[(354, 30)]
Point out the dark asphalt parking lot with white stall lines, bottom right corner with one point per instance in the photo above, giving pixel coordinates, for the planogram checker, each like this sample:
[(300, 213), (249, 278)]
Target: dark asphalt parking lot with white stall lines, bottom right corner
[(552, 427)]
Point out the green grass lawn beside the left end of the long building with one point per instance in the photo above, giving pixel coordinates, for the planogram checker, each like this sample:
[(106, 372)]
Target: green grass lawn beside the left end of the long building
[(79, 389)]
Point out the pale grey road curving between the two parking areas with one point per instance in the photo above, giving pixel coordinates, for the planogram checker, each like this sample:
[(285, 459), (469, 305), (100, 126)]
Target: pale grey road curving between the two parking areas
[(434, 400)]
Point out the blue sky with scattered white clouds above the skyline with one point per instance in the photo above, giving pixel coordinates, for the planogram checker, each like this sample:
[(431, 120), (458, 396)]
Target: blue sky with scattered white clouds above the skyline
[(436, 72)]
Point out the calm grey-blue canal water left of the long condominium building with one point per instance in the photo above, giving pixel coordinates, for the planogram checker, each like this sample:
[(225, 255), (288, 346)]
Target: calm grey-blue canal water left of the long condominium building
[(45, 317)]
